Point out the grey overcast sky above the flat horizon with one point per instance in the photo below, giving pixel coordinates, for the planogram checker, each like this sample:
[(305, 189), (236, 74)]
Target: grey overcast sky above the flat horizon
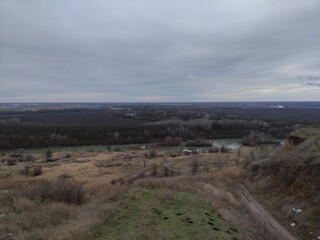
[(151, 50)]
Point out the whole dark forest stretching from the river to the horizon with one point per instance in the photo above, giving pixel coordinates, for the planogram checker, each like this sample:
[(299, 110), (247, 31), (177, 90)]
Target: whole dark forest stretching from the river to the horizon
[(126, 124)]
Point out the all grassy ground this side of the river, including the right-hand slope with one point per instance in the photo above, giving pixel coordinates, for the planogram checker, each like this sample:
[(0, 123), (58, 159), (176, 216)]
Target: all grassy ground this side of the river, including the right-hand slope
[(140, 191)]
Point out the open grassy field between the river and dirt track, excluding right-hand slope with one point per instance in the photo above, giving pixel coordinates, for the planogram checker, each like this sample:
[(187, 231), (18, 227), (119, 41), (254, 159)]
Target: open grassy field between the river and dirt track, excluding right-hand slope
[(166, 202)]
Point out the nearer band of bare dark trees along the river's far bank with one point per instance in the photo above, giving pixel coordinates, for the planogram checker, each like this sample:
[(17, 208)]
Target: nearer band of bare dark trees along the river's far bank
[(32, 135)]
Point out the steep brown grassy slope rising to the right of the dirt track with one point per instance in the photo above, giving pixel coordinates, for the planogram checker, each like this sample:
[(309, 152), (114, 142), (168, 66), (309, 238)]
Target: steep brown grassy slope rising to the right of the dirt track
[(291, 179)]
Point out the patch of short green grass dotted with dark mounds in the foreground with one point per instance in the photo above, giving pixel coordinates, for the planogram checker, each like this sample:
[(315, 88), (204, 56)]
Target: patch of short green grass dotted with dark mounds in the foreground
[(165, 214)]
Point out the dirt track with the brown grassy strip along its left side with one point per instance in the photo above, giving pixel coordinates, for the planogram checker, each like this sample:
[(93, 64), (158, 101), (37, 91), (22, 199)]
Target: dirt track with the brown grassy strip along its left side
[(239, 207)]
